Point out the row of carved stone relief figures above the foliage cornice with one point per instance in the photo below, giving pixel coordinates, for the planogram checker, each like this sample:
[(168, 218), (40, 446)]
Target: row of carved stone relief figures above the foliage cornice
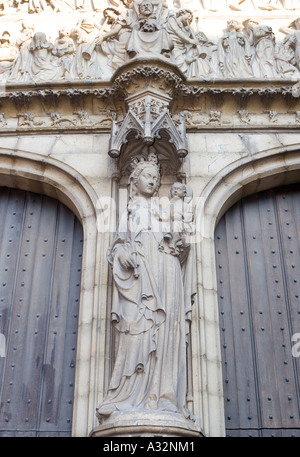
[(92, 51)]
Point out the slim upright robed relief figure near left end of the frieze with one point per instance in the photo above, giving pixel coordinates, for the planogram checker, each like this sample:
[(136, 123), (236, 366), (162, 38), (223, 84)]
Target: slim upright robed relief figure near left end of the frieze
[(21, 67)]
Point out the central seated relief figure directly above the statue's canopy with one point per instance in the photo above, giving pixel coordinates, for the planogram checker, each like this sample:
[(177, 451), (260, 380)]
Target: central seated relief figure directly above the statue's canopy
[(149, 37)]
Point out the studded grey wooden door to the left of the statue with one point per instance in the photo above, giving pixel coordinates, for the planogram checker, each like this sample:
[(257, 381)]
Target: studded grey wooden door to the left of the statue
[(40, 271)]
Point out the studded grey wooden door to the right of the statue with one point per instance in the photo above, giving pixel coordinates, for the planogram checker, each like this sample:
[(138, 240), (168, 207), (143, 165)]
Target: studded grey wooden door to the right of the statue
[(258, 271)]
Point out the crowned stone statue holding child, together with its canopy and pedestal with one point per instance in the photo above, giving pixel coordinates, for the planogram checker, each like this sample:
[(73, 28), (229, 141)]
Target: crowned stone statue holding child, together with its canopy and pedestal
[(147, 137)]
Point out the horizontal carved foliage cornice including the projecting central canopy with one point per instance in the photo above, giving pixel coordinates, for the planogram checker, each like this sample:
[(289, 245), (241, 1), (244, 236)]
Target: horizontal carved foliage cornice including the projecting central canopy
[(143, 115)]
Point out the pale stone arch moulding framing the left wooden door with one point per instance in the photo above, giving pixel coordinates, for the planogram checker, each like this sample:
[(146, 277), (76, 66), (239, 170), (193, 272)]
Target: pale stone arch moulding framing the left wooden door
[(33, 172)]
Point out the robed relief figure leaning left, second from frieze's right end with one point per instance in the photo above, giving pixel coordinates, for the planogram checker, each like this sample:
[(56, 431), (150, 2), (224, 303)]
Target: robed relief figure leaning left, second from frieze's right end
[(263, 40)]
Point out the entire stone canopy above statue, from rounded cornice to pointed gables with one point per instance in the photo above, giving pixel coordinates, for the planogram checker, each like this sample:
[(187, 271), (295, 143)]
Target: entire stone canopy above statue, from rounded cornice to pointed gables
[(147, 125)]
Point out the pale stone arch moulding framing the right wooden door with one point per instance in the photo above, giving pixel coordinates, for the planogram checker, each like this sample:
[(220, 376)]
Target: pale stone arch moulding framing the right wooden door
[(249, 175)]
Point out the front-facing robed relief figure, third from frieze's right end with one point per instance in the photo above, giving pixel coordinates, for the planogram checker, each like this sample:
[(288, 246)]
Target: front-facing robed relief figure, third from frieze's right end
[(235, 52)]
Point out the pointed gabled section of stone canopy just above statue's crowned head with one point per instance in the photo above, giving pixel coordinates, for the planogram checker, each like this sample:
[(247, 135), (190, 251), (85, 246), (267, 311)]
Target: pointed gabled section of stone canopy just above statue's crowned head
[(147, 117)]
